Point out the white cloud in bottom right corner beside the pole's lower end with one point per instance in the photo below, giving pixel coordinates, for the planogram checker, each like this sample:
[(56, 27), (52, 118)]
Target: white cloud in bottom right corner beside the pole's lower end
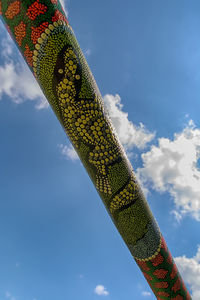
[(190, 271)]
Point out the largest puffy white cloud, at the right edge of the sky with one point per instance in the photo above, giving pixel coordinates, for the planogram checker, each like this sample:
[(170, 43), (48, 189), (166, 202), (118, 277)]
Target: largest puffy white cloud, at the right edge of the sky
[(172, 167)]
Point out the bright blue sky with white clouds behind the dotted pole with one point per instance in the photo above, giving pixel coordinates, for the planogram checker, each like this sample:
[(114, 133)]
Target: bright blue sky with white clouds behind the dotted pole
[(57, 240)]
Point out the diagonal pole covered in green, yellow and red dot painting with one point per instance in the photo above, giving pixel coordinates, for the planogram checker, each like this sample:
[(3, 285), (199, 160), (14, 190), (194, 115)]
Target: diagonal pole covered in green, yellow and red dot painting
[(47, 42)]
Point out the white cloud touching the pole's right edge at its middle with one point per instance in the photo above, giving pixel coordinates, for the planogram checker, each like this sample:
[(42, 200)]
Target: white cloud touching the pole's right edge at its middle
[(129, 134)]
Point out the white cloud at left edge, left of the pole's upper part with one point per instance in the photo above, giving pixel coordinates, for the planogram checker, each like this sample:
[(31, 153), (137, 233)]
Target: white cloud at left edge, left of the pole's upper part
[(16, 80)]
